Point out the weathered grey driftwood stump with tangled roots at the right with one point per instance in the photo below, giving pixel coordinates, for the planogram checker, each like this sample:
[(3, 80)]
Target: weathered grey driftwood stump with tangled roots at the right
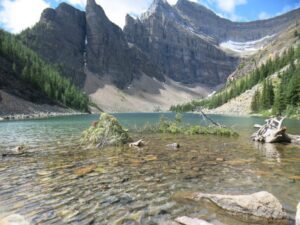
[(272, 132)]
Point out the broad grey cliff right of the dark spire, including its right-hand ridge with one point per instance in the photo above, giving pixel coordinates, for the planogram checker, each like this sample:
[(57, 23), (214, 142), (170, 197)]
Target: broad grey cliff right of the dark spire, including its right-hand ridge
[(183, 40)]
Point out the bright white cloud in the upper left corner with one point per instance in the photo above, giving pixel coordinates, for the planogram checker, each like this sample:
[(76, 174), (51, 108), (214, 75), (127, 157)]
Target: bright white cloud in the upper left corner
[(16, 15)]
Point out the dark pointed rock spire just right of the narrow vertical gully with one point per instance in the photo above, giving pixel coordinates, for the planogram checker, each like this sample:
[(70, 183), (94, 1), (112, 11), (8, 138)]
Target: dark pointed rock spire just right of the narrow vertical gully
[(108, 52)]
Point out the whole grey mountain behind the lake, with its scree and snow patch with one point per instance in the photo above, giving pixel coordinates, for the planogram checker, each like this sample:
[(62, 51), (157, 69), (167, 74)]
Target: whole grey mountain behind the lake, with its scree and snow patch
[(182, 51)]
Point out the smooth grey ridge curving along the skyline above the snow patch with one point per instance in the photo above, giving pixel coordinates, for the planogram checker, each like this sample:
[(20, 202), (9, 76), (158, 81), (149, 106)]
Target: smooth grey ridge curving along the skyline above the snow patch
[(207, 22)]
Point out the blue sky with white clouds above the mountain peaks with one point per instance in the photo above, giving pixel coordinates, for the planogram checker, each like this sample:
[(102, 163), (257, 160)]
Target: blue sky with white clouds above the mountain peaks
[(16, 15)]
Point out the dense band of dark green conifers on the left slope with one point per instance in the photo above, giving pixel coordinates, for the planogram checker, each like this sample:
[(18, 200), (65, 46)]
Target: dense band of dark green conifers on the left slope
[(46, 78)]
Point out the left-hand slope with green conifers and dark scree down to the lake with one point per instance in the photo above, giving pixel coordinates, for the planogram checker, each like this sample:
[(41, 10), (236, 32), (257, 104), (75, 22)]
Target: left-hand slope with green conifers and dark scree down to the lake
[(31, 86)]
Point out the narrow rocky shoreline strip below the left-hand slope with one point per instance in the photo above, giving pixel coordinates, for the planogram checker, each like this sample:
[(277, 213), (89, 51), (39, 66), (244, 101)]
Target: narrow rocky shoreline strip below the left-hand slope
[(39, 115)]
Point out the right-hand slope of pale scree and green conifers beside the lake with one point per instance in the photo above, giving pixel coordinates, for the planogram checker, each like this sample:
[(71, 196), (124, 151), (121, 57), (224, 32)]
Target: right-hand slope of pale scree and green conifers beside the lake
[(266, 82)]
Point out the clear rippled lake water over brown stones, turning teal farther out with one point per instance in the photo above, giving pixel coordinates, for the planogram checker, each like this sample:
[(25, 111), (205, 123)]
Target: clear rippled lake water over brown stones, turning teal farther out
[(132, 186)]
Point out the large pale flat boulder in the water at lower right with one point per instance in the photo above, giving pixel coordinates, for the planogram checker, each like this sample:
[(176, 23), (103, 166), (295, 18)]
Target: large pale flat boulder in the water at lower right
[(261, 204)]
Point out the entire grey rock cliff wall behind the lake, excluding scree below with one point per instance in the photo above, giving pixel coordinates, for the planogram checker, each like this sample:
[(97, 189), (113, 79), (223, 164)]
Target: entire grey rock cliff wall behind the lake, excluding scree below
[(183, 42)]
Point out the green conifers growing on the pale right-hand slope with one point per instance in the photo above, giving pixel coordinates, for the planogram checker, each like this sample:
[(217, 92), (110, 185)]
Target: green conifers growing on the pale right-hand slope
[(239, 86)]
